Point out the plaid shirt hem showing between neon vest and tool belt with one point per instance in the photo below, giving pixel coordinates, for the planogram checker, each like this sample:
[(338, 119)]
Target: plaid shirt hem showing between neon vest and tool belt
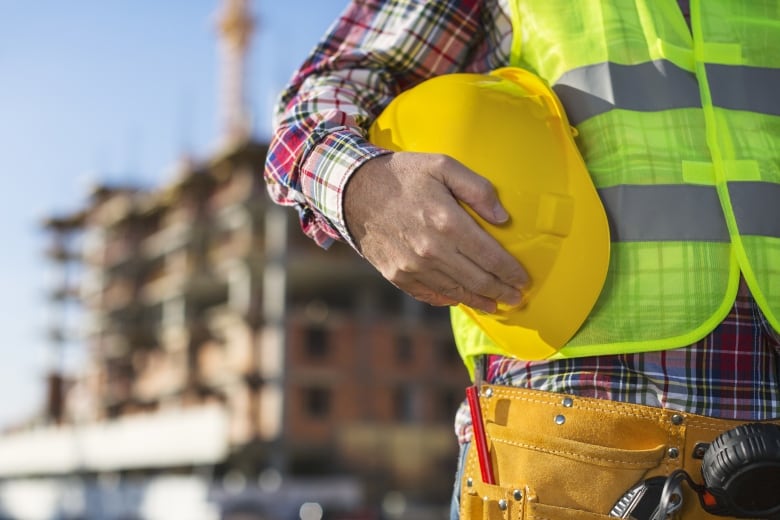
[(731, 374)]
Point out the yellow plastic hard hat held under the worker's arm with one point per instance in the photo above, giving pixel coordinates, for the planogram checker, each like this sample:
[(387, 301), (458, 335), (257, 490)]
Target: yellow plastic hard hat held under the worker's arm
[(509, 127)]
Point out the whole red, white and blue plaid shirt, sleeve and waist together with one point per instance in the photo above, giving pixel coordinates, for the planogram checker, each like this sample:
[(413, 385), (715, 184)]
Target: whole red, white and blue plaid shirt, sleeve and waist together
[(377, 49)]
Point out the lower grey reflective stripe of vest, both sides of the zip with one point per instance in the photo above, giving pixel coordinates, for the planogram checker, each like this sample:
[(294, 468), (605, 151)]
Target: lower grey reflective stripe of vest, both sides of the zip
[(644, 213)]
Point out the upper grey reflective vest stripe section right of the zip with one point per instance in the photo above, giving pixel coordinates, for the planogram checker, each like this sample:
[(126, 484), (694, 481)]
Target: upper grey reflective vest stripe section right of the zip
[(753, 89)]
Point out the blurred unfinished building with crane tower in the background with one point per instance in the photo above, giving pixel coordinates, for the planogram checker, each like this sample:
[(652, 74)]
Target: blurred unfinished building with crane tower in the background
[(232, 368)]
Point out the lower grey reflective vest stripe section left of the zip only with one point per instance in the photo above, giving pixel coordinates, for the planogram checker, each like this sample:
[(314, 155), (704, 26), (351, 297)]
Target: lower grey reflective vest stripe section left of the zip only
[(664, 213)]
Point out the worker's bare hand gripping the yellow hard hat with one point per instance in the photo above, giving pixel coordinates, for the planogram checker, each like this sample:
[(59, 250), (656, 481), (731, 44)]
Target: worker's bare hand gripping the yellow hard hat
[(403, 213)]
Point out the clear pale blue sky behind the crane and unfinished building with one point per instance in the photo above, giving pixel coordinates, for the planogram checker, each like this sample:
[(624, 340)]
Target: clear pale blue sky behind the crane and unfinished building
[(95, 91)]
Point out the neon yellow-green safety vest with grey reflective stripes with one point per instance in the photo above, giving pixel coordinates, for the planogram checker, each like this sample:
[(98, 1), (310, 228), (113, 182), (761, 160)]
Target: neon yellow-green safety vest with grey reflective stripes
[(680, 130)]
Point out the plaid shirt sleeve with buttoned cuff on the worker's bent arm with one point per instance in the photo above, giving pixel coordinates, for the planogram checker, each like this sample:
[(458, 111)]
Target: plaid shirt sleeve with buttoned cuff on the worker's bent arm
[(372, 52)]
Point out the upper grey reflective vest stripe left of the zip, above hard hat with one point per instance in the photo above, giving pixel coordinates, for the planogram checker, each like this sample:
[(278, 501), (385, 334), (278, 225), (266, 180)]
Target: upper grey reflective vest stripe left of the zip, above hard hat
[(647, 87)]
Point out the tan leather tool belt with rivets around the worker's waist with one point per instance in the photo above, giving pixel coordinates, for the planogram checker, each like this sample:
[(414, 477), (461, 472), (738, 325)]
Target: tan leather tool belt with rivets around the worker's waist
[(557, 456)]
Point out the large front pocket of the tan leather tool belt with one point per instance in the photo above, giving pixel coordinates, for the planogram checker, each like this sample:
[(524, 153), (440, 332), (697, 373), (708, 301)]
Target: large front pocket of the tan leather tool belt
[(543, 476)]
